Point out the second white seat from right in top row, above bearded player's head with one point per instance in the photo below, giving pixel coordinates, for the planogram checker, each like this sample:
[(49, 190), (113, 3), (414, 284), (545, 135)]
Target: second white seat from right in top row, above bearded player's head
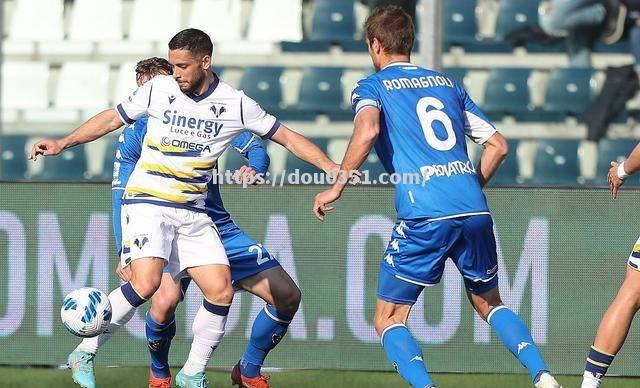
[(221, 19)]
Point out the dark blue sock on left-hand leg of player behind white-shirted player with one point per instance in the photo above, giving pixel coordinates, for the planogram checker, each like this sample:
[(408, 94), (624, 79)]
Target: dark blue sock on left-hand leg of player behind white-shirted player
[(159, 338)]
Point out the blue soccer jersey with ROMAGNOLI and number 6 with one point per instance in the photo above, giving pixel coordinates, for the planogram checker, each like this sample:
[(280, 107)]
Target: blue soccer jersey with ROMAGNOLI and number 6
[(424, 118)]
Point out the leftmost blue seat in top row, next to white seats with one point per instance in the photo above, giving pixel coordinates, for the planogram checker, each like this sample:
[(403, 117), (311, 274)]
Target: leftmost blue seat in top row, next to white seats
[(333, 21)]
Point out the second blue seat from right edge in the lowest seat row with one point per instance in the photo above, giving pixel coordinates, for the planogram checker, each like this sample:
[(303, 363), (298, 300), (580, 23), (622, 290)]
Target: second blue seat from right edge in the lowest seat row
[(556, 163)]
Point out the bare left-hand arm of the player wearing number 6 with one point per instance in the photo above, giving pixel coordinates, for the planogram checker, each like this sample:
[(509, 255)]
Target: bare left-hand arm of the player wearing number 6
[(365, 134)]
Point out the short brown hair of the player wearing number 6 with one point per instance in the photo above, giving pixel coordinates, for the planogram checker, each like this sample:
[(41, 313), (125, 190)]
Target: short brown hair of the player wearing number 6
[(393, 28)]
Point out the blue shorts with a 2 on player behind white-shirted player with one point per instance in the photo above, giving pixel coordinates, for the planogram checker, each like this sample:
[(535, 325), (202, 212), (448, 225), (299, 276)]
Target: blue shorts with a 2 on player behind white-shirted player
[(246, 257)]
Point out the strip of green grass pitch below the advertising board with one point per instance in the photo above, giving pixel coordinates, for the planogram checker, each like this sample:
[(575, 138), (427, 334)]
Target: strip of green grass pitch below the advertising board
[(137, 377)]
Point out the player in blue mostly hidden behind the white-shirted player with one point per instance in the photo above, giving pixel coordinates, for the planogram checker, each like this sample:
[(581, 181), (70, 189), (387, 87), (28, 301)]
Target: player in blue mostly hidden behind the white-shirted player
[(252, 266)]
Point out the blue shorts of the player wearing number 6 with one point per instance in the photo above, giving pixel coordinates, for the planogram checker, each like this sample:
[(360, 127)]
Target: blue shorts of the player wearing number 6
[(418, 250)]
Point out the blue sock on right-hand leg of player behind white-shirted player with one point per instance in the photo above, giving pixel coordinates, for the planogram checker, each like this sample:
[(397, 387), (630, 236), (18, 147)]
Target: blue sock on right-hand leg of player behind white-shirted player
[(267, 331)]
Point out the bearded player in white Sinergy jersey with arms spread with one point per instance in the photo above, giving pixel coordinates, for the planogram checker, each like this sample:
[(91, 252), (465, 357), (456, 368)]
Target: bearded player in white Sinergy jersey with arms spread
[(193, 118)]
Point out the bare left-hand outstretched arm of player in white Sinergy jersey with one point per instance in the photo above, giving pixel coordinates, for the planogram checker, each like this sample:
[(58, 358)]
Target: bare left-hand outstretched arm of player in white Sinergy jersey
[(94, 128)]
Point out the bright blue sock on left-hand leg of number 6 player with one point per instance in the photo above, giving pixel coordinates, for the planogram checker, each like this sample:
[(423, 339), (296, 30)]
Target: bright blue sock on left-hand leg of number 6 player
[(405, 355)]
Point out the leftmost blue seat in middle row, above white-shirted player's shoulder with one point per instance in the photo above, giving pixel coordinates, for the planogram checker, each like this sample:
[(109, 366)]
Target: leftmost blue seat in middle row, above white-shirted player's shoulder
[(263, 85)]
